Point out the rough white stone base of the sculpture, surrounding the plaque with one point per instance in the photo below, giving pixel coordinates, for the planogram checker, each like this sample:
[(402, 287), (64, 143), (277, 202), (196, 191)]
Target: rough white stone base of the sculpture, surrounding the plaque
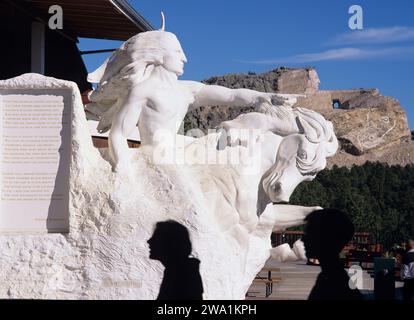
[(105, 255)]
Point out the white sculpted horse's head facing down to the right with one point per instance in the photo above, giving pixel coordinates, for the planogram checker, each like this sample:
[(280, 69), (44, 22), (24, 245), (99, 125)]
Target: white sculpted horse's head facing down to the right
[(284, 176)]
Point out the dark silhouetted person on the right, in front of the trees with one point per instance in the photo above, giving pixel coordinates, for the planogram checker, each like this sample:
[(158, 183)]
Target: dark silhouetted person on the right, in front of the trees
[(327, 231)]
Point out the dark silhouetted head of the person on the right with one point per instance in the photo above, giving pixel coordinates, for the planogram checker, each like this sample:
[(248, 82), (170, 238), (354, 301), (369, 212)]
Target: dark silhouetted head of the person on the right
[(327, 231)]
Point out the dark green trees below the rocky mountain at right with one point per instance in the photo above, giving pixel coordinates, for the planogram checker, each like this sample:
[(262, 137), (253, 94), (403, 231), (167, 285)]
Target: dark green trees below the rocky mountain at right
[(378, 198)]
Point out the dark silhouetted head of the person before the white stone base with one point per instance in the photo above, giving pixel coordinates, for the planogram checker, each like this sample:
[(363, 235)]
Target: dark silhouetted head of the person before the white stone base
[(170, 242)]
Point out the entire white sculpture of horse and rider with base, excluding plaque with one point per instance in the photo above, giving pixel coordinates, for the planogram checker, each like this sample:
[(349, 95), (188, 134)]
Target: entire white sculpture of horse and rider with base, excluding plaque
[(230, 208)]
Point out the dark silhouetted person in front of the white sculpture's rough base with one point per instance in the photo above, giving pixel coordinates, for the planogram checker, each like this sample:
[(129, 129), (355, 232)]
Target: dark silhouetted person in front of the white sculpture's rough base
[(170, 244)]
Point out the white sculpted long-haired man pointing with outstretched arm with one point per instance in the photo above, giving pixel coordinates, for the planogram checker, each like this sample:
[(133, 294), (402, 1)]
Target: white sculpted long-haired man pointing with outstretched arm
[(138, 86)]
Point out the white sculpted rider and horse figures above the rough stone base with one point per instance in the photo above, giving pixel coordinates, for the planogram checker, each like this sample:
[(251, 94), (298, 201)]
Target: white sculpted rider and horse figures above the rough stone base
[(138, 86)]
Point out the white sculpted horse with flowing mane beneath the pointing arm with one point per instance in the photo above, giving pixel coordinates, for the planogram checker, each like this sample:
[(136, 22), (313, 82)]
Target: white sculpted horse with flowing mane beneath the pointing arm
[(276, 163)]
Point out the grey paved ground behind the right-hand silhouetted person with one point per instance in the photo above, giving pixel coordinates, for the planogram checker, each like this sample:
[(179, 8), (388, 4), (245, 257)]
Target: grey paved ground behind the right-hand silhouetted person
[(297, 282)]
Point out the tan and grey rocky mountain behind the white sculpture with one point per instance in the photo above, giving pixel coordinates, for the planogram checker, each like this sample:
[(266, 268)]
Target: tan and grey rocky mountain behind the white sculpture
[(365, 121)]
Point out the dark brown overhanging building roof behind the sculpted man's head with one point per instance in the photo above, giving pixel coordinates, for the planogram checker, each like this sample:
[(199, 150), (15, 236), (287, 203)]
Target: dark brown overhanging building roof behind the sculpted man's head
[(101, 19)]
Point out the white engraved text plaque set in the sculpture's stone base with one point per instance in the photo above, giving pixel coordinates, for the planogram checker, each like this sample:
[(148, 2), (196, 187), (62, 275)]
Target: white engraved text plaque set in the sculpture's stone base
[(35, 159)]
